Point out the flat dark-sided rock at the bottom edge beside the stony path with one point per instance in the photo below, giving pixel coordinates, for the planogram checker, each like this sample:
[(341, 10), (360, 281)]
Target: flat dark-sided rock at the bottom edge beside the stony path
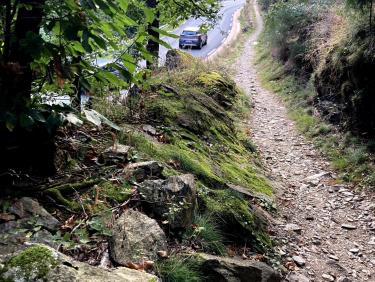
[(221, 269)]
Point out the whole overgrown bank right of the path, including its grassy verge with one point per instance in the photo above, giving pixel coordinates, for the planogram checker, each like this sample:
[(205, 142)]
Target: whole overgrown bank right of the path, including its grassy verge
[(318, 57)]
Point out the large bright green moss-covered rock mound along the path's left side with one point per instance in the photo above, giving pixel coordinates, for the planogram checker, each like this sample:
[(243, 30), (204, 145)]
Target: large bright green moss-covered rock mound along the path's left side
[(201, 111)]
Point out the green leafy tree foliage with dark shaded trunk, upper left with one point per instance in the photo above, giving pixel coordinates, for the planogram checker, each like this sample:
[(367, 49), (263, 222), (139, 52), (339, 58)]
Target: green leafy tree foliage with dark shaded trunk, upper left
[(67, 48)]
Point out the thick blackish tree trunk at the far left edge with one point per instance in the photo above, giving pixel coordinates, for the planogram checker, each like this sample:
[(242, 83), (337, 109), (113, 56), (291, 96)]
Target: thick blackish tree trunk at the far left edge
[(16, 78)]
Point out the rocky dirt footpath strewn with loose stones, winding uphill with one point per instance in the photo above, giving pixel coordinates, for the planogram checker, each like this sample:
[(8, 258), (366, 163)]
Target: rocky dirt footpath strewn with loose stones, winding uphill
[(326, 232)]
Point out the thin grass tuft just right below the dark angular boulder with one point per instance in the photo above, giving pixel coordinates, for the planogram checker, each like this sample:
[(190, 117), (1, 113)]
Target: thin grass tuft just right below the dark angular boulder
[(206, 234)]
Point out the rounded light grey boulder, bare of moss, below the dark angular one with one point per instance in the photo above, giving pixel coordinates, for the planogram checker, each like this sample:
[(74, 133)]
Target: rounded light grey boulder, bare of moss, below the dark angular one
[(136, 238)]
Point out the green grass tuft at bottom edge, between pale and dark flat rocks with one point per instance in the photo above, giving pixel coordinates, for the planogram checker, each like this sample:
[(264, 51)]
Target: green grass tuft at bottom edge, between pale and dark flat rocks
[(178, 269)]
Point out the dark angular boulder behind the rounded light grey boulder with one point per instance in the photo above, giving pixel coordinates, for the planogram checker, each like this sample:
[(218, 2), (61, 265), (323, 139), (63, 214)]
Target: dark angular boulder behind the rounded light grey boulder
[(173, 199)]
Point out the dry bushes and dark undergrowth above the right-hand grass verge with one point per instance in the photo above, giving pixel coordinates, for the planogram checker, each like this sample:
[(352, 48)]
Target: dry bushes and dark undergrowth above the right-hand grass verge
[(331, 46)]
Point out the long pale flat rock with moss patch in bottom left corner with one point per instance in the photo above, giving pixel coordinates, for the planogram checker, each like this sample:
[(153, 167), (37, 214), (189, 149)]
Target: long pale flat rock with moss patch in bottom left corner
[(42, 263)]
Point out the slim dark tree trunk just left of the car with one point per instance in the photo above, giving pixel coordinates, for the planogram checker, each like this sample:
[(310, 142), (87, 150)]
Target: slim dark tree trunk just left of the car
[(152, 46)]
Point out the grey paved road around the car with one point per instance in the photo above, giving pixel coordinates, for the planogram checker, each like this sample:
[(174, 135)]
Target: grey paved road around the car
[(216, 35)]
